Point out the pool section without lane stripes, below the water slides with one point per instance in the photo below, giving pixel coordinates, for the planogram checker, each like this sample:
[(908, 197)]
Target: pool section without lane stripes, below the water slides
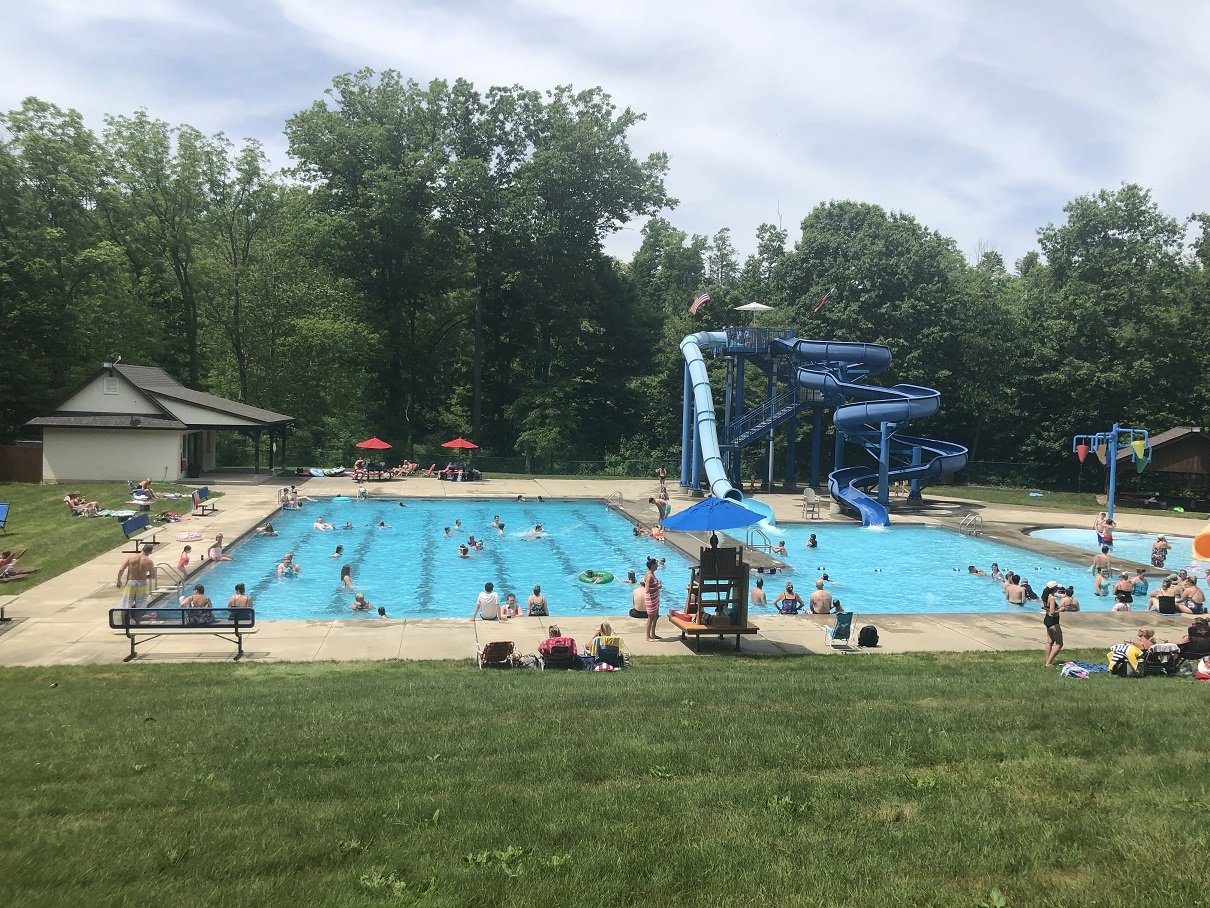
[(914, 570)]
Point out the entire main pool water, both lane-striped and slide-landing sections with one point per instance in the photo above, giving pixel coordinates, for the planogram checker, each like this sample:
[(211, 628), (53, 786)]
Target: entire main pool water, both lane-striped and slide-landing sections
[(414, 571)]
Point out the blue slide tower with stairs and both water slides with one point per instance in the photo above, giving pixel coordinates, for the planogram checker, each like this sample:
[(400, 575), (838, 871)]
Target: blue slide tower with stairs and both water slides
[(808, 376)]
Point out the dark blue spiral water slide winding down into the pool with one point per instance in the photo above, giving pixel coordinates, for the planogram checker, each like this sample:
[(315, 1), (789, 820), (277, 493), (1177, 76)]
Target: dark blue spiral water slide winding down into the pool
[(821, 364)]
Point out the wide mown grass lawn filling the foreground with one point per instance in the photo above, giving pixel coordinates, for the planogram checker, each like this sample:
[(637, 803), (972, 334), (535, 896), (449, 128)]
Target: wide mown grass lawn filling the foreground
[(964, 780)]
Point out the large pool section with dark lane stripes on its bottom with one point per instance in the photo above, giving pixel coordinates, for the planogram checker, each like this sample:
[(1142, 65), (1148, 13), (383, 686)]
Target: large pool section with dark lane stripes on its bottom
[(414, 571)]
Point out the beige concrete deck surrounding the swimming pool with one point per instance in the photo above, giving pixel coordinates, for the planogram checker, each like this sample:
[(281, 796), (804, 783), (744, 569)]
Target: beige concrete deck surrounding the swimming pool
[(65, 620)]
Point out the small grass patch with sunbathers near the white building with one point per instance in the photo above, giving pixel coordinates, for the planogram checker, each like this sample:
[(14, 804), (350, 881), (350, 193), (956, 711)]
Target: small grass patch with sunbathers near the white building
[(56, 539)]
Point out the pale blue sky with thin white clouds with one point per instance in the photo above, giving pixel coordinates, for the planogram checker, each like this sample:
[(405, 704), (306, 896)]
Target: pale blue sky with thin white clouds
[(982, 119)]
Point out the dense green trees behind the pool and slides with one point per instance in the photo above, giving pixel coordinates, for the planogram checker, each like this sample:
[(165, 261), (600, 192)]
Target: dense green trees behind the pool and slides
[(433, 265)]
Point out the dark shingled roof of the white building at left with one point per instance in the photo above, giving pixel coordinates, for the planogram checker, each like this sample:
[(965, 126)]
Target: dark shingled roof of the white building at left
[(162, 390)]
